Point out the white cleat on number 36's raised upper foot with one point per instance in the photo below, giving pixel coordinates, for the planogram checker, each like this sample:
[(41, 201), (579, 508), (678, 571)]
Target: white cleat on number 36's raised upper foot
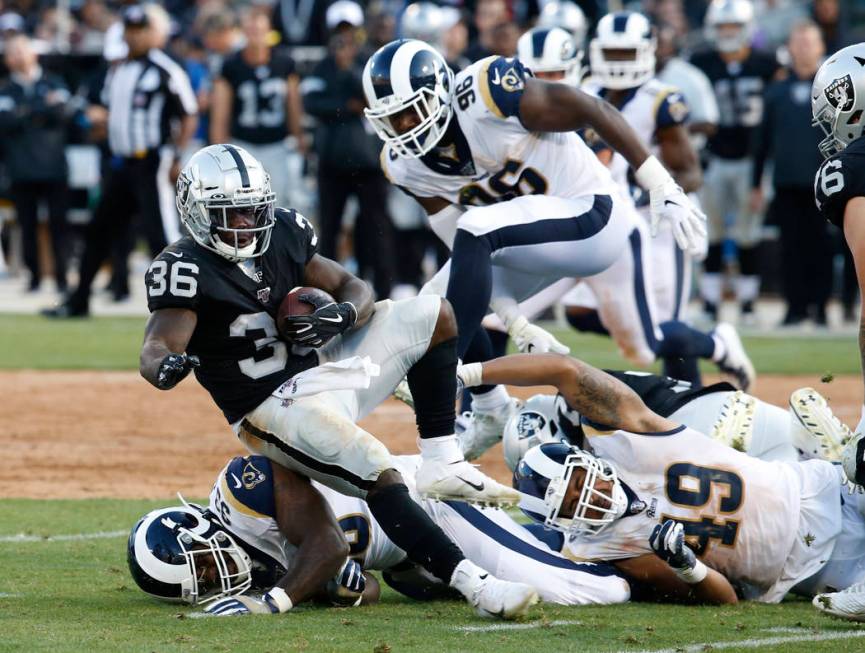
[(461, 481)]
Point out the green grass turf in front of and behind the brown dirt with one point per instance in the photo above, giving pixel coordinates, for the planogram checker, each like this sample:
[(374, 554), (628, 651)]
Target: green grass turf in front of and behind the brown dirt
[(76, 595)]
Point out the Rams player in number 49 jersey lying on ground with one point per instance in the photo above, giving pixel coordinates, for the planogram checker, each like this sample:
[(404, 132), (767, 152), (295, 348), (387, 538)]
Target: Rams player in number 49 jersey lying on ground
[(764, 528)]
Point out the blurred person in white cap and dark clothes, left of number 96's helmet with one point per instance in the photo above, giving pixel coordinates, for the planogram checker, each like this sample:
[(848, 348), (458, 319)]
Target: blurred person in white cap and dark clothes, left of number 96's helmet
[(348, 155)]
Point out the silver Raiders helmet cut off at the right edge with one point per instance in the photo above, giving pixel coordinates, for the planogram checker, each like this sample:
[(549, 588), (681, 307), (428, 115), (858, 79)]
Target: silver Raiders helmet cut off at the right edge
[(838, 99)]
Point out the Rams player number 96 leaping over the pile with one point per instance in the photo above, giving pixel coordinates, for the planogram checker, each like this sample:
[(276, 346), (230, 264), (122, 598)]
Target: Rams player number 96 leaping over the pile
[(493, 157)]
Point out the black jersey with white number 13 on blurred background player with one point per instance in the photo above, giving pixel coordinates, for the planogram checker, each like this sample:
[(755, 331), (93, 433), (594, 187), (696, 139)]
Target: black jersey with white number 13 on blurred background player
[(258, 110)]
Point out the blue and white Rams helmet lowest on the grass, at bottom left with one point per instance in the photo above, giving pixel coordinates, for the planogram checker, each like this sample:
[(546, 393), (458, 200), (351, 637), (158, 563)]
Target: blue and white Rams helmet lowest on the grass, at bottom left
[(165, 547)]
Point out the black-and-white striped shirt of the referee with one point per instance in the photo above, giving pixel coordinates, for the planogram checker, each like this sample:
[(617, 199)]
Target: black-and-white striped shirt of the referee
[(143, 96)]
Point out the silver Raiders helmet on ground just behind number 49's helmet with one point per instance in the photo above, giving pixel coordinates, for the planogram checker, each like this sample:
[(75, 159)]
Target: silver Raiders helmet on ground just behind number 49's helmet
[(543, 418)]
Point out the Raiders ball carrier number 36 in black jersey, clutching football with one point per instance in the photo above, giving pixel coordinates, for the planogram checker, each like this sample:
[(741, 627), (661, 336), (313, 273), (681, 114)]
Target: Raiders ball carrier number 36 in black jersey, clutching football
[(213, 296)]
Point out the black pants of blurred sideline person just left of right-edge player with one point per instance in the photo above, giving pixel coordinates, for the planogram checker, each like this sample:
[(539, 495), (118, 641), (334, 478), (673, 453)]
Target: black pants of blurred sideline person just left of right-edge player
[(807, 249)]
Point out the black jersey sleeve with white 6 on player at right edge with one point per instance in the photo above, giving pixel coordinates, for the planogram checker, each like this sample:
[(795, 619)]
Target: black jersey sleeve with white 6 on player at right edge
[(840, 179)]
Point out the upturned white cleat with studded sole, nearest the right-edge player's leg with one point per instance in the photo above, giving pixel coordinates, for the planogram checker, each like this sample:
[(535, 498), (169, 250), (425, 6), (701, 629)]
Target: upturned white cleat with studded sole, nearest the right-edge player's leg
[(822, 435)]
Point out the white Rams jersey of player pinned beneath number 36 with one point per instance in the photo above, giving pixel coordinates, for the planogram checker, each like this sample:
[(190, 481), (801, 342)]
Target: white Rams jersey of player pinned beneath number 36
[(242, 498)]
